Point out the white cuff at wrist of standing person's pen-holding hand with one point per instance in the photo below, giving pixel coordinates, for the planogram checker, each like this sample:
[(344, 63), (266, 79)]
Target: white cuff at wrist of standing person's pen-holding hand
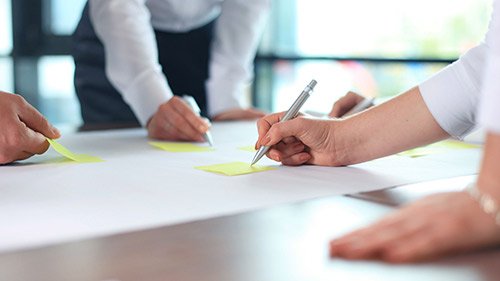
[(146, 94)]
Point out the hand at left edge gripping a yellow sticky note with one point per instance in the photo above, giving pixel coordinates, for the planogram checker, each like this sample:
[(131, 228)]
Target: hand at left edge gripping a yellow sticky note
[(22, 129)]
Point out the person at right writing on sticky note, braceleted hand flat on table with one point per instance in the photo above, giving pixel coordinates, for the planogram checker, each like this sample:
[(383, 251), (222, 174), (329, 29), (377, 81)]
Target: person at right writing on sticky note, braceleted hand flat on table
[(445, 105)]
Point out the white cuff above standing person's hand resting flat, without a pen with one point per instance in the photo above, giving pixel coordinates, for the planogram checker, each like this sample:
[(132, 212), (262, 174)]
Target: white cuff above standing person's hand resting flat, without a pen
[(223, 95)]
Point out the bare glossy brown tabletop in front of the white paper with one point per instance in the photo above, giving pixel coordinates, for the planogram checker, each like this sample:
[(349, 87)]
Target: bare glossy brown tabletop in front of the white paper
[(287, 242)]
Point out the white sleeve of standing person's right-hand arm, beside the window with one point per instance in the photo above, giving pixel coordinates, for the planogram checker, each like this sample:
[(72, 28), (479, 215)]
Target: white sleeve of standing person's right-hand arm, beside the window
[(236, 37)]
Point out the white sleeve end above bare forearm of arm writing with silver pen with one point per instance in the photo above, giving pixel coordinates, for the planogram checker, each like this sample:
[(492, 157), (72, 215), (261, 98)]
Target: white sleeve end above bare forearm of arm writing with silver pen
[(450, 99)]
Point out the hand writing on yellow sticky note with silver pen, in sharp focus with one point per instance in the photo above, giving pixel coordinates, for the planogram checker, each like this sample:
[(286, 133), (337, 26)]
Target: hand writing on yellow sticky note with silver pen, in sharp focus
[(302, 140)]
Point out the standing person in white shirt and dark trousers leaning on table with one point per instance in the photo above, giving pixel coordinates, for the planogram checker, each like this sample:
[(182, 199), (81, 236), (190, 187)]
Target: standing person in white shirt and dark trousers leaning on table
[(134, 58)]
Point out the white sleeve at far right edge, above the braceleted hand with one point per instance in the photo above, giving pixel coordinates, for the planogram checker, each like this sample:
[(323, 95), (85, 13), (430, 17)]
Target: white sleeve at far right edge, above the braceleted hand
[(489, 108)]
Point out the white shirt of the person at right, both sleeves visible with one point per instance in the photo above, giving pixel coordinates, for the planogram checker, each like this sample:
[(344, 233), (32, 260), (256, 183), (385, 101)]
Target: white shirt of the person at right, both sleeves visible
[(469, 88)]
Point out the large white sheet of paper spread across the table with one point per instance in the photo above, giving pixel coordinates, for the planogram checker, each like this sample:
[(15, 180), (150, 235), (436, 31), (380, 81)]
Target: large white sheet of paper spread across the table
[(50, 199)]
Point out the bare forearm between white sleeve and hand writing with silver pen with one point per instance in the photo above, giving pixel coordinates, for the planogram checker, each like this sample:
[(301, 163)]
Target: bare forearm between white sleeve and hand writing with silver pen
[(399, 124)]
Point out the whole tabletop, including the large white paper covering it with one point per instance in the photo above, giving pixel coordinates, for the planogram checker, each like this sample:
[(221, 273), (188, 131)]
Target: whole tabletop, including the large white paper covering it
[(119, 220)]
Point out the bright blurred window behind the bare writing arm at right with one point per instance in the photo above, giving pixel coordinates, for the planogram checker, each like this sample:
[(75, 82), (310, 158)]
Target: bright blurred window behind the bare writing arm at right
[(376, 48)]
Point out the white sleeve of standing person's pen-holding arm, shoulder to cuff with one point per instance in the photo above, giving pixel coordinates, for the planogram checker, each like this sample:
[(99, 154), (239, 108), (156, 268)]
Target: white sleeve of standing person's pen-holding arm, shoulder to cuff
[(131, 54)]
